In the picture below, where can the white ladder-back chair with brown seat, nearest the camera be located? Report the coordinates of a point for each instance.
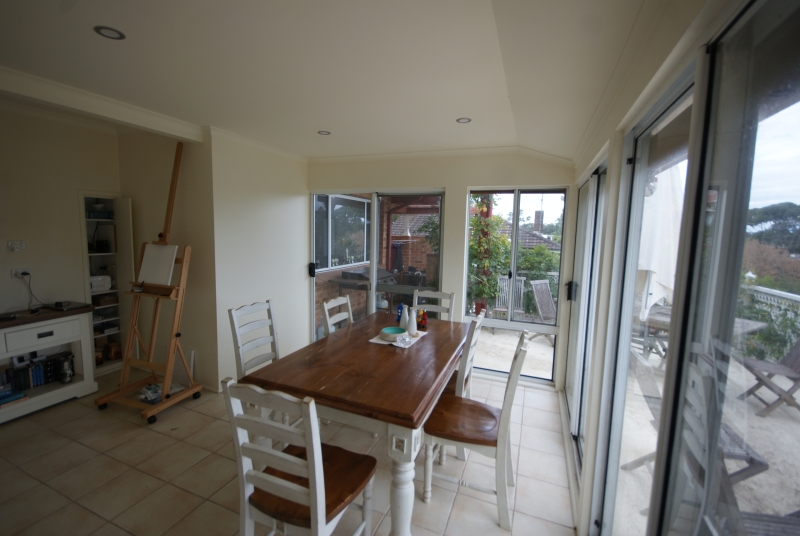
(308, 485)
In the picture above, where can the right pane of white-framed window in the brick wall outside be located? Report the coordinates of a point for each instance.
(348, 237)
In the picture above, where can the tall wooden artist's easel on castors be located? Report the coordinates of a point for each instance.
(158, 293)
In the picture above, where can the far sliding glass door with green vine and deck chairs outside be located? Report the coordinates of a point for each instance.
(513, 272)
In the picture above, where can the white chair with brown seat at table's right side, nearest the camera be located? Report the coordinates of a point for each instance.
(462, 422)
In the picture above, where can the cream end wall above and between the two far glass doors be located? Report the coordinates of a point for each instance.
(455, 175)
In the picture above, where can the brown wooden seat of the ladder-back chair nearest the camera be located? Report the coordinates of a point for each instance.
(346, 475)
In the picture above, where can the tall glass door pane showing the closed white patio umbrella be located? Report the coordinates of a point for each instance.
(661, 154)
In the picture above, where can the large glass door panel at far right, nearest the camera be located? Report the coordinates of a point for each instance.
(735, 452)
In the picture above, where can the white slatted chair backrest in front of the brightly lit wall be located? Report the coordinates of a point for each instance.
(253, 329)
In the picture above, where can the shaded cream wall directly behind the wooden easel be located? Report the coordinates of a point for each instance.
(145, 163)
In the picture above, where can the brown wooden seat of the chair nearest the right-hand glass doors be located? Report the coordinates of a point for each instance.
(464, 420)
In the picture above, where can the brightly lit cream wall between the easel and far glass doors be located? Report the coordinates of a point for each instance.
(261, 232)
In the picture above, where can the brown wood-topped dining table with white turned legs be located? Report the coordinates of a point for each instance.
(382, 389)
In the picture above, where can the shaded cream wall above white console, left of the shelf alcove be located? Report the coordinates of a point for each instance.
(45, 159)
